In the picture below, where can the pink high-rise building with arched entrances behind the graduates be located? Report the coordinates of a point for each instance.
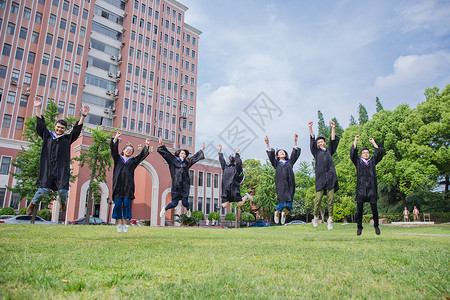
(133, 62)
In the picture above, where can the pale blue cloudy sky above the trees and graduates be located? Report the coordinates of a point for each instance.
(266, 67)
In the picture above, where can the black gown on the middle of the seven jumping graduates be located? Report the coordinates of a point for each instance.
(231, 179)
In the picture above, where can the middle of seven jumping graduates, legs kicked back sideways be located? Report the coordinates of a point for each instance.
(232, 178)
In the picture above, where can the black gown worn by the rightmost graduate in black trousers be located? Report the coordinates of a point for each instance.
(366, 175)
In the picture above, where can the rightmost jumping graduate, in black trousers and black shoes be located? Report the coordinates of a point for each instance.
(366, 181)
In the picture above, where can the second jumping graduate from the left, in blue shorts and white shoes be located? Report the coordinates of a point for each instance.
(123, 180)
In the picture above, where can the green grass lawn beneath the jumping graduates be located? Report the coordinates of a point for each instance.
(296, 262)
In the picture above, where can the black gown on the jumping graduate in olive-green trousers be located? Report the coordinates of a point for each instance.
(326, 177)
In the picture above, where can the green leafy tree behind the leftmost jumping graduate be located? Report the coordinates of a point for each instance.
(28, 158)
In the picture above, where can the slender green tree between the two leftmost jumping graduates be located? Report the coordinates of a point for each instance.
(99, 161)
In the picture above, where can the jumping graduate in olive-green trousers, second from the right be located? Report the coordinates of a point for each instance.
(326, 178)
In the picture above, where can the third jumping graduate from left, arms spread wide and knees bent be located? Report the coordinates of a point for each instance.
(179, 164)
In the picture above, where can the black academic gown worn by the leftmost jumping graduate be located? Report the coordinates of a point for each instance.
(54, 165)
